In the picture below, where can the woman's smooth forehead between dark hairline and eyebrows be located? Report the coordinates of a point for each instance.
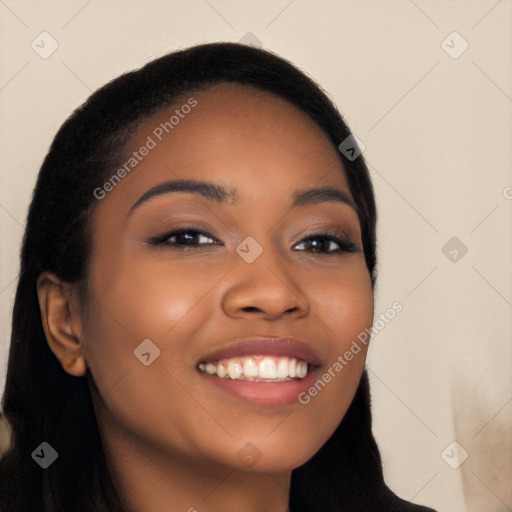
(245, 138)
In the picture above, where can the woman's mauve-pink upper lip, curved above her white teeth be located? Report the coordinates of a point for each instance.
(266, 345)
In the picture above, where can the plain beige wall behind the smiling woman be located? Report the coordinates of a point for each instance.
(437, 131)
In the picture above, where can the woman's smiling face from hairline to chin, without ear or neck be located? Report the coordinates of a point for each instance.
(258, 273)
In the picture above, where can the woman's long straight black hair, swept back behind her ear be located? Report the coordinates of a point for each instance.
(42, 401)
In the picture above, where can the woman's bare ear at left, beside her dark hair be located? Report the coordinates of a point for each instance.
(60, 315)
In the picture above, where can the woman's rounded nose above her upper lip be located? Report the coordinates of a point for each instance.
(264, 288)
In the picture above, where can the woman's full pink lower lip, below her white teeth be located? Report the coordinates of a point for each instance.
(270, 394)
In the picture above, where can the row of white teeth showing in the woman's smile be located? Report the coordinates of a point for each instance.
(257, 368)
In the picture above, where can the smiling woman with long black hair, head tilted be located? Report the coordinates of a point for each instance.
(198, 258)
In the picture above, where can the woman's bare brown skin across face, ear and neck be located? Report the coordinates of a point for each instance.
(170, 437)
